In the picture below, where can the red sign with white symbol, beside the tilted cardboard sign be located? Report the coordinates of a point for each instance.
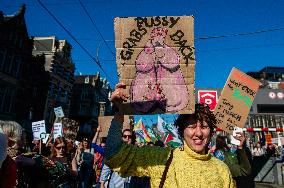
(208, 97)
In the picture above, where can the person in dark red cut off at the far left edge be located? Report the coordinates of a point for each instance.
(8, 168)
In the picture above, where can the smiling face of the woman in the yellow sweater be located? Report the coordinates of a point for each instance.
(197, 136)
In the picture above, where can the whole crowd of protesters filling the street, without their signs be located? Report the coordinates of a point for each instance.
(127, 159)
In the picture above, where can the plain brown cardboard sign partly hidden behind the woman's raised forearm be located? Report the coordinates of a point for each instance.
(105, 121)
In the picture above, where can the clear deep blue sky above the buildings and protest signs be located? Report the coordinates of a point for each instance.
(214, 57)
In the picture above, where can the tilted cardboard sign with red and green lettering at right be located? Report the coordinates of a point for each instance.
(235, 101)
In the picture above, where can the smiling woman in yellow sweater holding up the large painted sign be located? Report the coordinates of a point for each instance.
(191, 166)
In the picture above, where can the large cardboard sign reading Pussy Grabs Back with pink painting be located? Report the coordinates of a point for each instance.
(155, 59)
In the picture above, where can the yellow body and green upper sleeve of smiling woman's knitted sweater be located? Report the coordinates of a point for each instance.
(188, 169)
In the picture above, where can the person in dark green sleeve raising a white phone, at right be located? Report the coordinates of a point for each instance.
(236, 160)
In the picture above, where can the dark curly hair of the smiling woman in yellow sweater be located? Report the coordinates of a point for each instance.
(202, 113)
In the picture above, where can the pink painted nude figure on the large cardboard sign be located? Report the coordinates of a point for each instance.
(158, 82)
